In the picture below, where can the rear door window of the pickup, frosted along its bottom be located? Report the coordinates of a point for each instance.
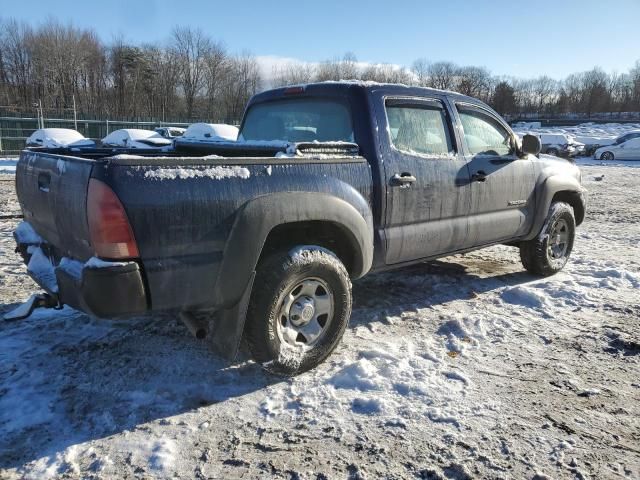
(417, 129)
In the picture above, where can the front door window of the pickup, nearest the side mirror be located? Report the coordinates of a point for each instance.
(484, 135)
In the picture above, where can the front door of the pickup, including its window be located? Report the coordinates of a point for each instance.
(503, 184)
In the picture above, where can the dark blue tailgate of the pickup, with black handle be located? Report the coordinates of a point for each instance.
(52, 190)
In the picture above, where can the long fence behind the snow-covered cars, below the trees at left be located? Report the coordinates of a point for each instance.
(14, 131)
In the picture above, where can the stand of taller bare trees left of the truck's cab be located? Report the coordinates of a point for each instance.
(190, 76)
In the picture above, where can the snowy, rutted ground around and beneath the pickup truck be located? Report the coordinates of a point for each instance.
(463, 368)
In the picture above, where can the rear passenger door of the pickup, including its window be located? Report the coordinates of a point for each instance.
(427, 182)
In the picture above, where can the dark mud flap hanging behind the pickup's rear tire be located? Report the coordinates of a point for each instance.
(225, 331)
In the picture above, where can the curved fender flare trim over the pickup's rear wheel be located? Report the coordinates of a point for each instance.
(258, 217)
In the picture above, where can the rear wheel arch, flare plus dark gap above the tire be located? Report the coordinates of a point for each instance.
(288, 219)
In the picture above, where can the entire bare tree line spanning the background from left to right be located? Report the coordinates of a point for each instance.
(191, 75)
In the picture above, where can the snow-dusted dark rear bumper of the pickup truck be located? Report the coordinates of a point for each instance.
(104, 290)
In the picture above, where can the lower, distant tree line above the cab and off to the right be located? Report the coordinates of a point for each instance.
(589, 92)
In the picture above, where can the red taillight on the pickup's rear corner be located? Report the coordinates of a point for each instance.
(111, 234)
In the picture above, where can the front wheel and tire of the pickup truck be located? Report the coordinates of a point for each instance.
(549, 252)
